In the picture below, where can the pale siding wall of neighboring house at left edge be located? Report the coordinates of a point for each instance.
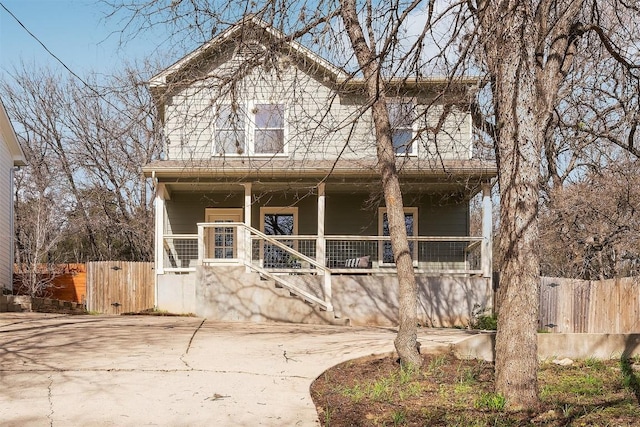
(6, 239)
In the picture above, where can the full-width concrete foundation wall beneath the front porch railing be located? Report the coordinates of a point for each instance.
(232, 294)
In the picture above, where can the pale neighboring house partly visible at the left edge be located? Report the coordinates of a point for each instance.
(11, 156)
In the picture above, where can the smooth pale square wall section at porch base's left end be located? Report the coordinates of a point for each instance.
(176, 293)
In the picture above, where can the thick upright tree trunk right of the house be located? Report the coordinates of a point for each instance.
(511, 47)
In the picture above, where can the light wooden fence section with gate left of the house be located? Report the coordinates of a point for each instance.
(115, 287)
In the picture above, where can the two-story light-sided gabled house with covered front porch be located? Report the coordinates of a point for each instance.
(269, 203)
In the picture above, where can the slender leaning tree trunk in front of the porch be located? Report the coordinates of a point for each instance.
(407, 339)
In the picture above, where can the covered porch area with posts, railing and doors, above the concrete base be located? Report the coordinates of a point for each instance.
(344, 235)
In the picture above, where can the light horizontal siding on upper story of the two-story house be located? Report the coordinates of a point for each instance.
(318, 122)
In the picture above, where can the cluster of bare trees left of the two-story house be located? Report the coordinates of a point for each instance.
(84, 185)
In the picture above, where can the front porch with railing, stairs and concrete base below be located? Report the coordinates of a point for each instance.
(229, 270)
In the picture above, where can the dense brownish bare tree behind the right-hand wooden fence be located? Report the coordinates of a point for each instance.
(592, 226)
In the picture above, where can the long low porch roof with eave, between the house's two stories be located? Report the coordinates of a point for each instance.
(345, 175)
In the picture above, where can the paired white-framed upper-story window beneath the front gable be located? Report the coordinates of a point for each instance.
(261, 132)
